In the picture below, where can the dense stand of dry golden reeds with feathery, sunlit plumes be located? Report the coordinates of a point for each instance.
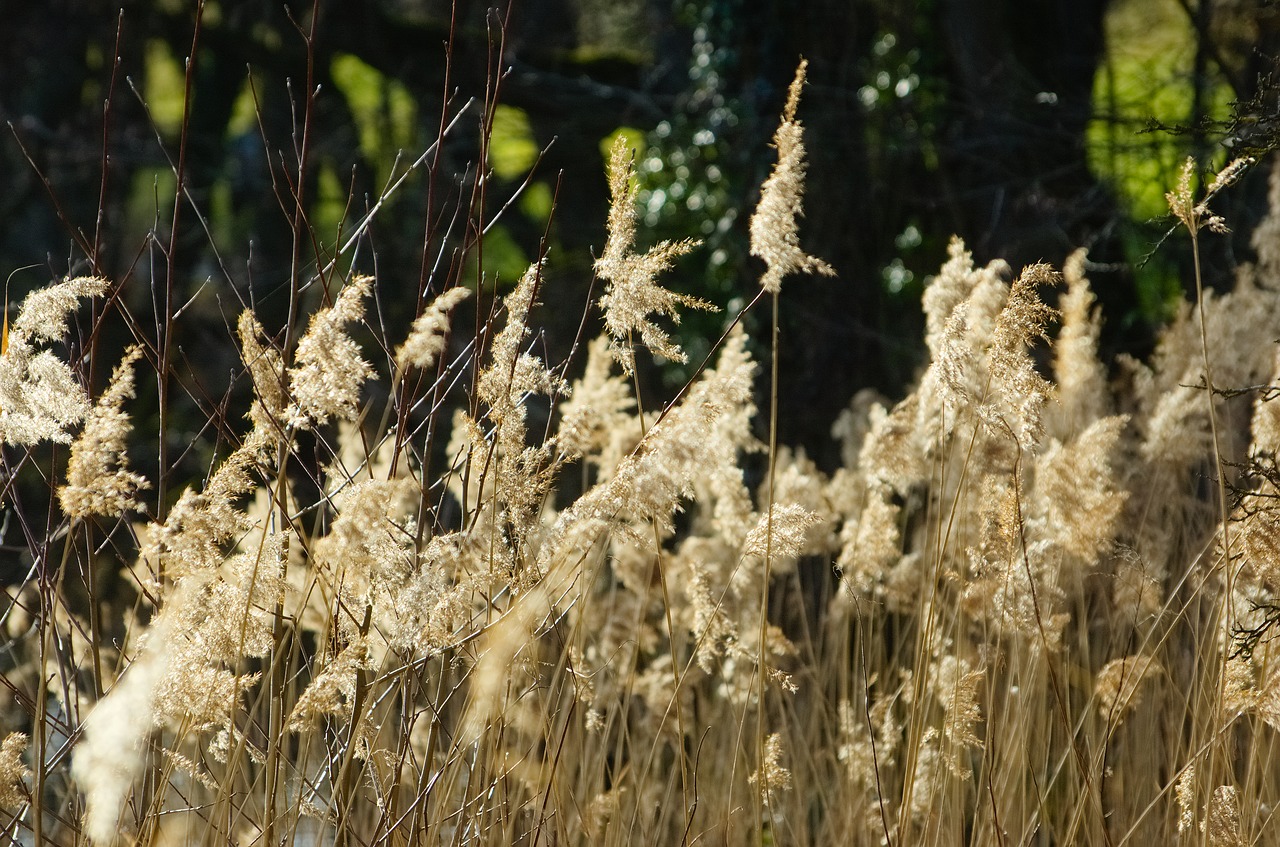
(1039, 628)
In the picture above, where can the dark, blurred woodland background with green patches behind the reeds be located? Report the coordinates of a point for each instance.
(1028, 129)
